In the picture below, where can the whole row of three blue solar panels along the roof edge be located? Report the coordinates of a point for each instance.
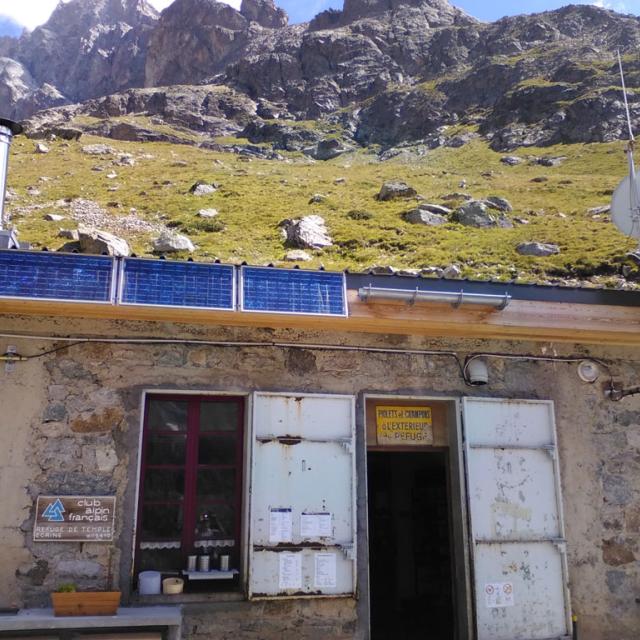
(82, 278)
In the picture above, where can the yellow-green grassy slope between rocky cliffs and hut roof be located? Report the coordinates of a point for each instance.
(255, 196)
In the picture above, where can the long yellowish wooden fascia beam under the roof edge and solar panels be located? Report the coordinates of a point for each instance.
(521, 320)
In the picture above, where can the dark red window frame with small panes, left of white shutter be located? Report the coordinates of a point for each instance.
(191, 467)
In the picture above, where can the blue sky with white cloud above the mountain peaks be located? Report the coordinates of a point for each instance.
(34, 12)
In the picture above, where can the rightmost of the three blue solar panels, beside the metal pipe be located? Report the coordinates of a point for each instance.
(266, 289)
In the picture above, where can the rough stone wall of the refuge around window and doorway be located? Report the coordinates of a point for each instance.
(70, 423)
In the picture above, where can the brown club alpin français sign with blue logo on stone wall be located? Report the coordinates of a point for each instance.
(74, 519)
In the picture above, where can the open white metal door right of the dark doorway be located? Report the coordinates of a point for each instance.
(517, 529)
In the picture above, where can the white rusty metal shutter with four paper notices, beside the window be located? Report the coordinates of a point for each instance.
(303, 488)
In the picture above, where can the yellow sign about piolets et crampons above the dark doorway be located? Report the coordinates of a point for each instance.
(404, 425)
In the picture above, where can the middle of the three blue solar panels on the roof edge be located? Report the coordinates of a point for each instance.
(177, 284)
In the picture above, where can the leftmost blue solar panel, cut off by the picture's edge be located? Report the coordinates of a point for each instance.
(56, 276)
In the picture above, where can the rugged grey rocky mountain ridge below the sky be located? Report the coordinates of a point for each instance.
(390, 71)
